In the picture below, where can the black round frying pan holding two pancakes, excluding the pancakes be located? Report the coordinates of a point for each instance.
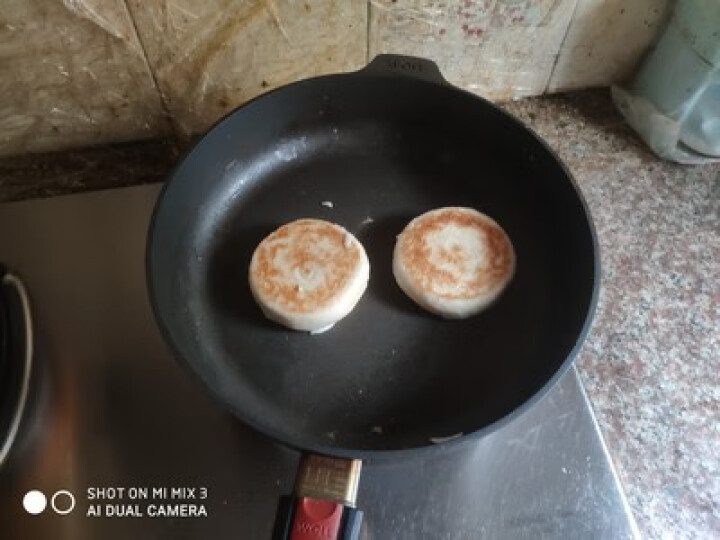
(388, 142)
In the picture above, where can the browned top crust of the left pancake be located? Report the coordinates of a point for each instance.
(299, 240)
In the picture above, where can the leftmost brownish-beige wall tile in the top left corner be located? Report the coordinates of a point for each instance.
(73, 73)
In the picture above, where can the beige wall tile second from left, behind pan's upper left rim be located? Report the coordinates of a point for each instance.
(210, 56)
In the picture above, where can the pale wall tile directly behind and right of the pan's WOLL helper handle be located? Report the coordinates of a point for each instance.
(498, 49)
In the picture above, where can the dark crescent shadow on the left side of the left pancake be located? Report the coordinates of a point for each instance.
(227, 275)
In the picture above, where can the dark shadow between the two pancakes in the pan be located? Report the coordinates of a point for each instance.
(379, 238)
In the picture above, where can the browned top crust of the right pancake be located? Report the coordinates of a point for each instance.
(424, 275)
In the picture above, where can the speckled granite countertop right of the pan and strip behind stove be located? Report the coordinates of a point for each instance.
(651, 363)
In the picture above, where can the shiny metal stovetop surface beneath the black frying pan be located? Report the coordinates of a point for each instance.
(115, 429)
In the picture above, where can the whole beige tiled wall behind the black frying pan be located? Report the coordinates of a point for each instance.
(86, 72)
